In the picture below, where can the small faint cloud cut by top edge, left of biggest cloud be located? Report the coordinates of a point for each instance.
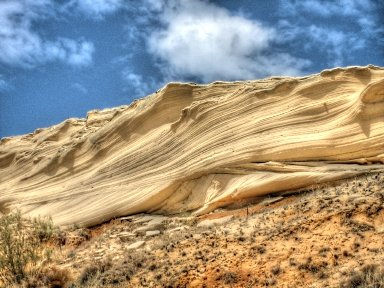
(97, 8)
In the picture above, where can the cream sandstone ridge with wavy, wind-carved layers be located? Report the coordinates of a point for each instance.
(192, 147)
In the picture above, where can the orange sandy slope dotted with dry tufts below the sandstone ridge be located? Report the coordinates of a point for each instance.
(329, 235)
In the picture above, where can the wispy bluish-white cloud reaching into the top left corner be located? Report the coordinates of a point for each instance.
(21, 45)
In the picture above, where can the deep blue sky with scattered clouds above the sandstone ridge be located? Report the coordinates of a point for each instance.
(60, 59)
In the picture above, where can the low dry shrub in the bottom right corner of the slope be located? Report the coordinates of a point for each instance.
(370, 276)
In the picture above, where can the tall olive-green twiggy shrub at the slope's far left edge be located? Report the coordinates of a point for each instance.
(21, 250)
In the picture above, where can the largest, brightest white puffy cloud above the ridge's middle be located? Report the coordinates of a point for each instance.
(203, 40)
